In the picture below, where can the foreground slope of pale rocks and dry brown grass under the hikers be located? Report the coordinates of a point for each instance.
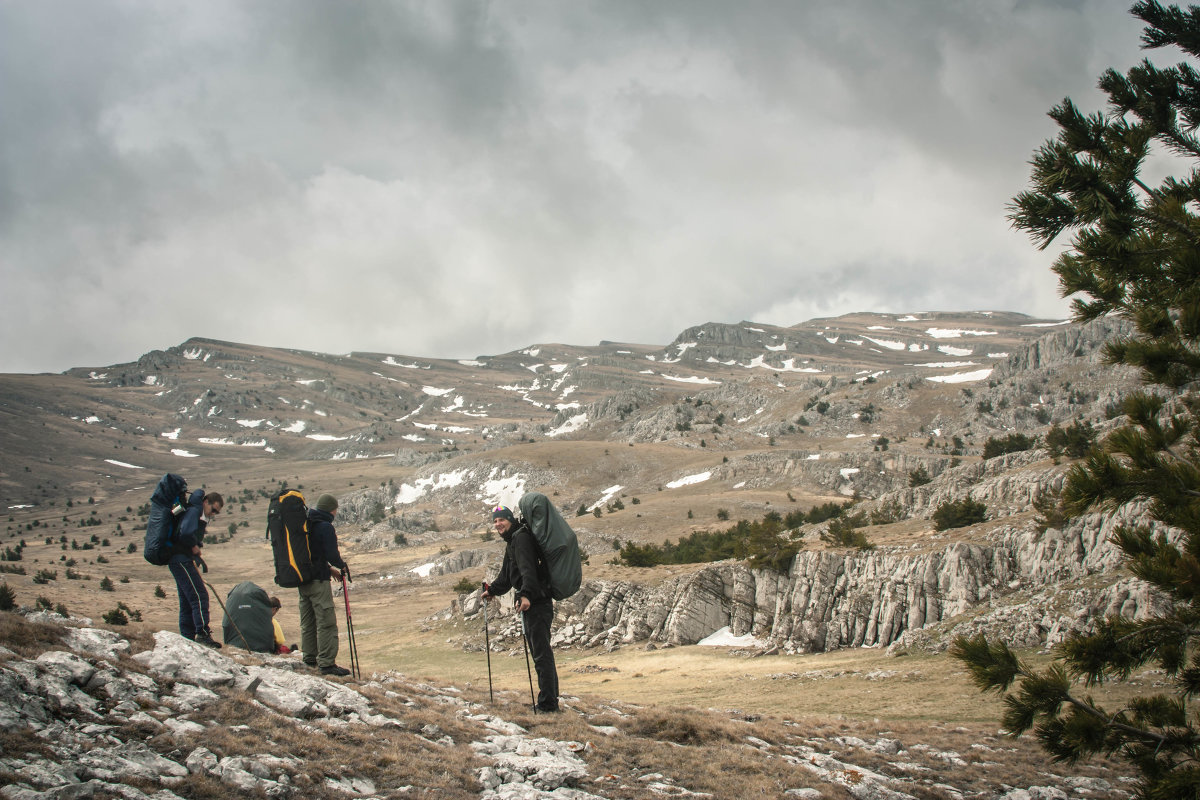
(88, 713)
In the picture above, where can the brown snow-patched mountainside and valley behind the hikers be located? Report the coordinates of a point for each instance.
(637, 446)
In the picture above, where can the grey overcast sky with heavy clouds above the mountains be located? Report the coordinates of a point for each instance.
(458, 179)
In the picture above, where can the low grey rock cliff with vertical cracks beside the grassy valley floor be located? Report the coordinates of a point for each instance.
(1015, 588)
